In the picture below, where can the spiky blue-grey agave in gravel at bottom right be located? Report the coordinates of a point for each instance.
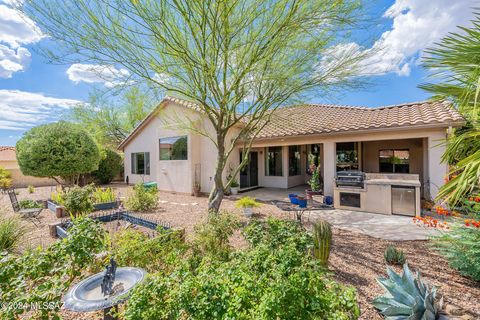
(407, 297)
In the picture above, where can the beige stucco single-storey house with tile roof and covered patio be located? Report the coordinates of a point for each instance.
(398, 139)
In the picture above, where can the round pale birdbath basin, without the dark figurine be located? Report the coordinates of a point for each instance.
(87, 295)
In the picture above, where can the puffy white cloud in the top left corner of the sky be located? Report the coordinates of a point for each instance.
(15, 30)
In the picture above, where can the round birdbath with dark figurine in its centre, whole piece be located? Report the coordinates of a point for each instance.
(104, 290)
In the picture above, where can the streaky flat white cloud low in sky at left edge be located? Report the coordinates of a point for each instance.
(21, 110)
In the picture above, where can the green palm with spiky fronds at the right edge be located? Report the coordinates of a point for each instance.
(455, 67)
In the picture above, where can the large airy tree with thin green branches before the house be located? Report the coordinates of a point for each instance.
(238, 60)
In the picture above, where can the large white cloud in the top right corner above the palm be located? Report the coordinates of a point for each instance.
(417, 24)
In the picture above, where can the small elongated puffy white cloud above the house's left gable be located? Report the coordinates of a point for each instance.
(94, 73)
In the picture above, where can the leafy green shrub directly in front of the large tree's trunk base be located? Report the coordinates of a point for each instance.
(212, 236)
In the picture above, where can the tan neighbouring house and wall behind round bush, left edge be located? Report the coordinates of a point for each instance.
(8, 160)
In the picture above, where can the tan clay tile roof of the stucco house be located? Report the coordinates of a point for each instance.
(308, 119)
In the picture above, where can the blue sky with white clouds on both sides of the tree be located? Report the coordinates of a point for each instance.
(33, 92)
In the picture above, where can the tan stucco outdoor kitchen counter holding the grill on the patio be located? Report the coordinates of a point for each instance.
(376, 196)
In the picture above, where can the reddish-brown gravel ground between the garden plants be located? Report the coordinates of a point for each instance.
(356, 259)
